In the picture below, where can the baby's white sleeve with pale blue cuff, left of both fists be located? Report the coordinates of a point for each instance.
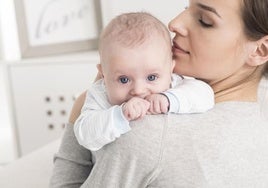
(98, 124)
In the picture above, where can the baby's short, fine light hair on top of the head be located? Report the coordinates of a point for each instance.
(131, 29)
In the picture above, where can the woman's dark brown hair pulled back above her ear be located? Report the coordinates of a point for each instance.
(255, 18)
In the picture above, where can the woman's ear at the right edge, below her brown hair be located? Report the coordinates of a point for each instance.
(260, 55)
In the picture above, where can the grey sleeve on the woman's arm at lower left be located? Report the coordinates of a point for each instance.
(72, 162)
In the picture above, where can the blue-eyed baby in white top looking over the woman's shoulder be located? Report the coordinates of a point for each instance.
(136, 67)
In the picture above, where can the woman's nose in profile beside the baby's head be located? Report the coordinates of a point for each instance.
(178, 25)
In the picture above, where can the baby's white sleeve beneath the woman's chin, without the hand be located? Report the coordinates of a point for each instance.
(190, 96)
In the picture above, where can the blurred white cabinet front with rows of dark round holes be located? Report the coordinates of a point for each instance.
(43, 95)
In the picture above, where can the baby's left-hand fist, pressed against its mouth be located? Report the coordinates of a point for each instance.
(135, 108)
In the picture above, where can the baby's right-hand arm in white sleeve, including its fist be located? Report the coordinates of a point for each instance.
(187, 96)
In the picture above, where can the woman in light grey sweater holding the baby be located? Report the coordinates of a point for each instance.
(224, 43)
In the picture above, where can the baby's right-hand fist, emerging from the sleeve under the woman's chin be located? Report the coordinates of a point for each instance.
(159, 103)
